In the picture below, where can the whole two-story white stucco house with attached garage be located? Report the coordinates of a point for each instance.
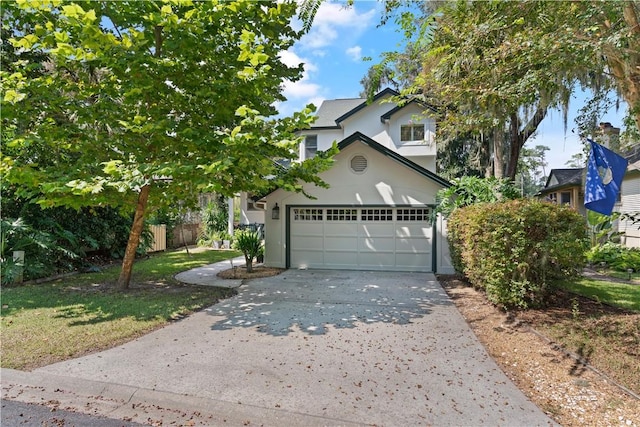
(376, 214)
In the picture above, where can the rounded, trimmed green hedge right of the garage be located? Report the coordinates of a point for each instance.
(514, 249)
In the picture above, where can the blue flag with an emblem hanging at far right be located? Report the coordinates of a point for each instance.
(605, 170)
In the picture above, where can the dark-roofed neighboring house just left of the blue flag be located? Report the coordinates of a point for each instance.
(565, 186)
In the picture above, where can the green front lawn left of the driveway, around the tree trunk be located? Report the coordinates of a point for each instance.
(50, 322)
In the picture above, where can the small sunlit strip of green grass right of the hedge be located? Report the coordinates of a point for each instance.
(621, 295)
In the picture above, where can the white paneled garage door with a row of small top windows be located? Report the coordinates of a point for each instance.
(395, 239)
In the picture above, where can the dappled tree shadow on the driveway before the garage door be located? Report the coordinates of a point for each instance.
(311, 300)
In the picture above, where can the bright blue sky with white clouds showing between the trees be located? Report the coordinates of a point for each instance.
(332, 53)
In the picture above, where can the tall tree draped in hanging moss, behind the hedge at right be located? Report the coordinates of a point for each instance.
(495, 68)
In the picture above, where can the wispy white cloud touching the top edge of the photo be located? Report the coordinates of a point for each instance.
(334, 21)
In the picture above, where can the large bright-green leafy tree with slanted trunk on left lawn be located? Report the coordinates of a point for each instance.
(140, 104)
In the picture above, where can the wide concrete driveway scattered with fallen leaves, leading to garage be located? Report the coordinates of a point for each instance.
(321, 348)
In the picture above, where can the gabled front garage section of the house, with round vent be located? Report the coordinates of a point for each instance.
(377, 214)
